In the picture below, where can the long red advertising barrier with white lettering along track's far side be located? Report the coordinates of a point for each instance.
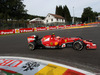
(23, 30)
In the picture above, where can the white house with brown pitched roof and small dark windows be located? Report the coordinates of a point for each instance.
(52, 18)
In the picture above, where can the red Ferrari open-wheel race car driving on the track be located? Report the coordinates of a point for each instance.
(51, 41)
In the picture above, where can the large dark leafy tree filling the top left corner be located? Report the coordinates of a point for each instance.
(12, 9)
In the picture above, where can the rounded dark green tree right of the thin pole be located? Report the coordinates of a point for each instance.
(88, 15)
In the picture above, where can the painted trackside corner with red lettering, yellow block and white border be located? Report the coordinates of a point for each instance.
(30, 66)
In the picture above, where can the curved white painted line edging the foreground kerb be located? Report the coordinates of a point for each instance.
(47, 62)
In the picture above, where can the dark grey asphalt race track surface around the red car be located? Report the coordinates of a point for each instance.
(16, 45)
